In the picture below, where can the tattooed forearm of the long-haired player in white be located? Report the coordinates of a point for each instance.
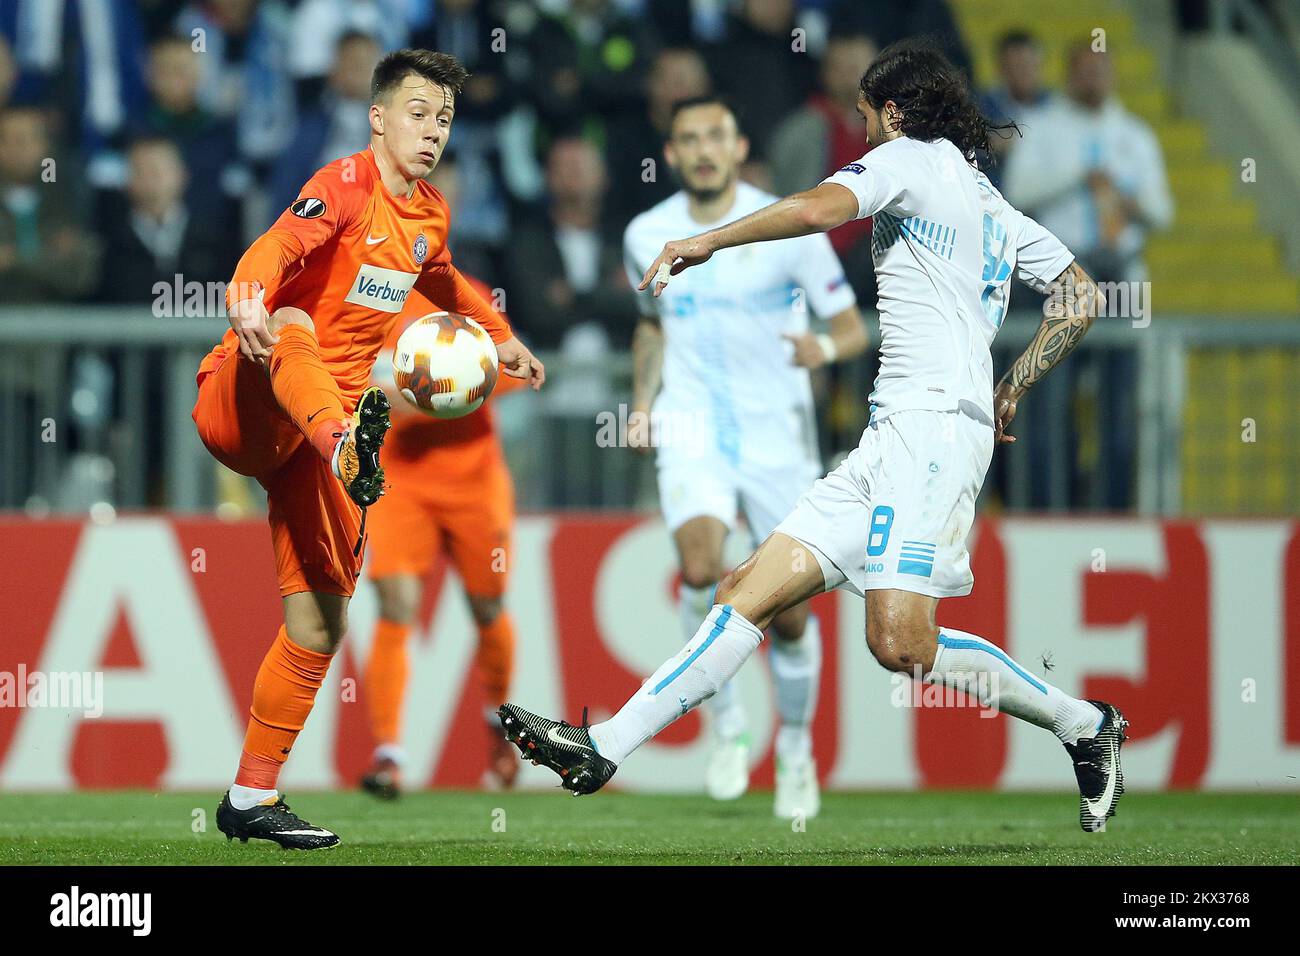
(1074, 301)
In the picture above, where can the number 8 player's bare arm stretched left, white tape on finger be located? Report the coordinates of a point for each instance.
(813, 211)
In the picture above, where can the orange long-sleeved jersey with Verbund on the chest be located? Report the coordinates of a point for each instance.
(349, 254)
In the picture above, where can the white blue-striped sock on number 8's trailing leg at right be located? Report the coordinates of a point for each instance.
(972, 664)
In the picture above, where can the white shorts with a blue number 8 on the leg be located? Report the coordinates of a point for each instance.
(898, 512)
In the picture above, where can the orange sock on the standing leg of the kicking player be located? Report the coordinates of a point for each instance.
(283, 698)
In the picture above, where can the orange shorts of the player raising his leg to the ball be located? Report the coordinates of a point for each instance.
(314, 525)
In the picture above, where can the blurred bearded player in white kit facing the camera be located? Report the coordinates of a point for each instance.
(733, 426)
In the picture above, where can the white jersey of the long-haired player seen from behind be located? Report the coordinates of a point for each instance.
(946, 245)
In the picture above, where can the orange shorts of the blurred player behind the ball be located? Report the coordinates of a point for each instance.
(422, 516)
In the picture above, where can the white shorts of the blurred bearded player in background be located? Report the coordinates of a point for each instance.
(696, 486)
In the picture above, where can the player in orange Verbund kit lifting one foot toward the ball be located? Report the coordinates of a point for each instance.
(284, 397)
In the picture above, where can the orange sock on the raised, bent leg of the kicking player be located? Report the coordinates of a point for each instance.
(306, 391)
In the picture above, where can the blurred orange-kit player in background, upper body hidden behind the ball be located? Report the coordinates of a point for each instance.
(452, 492)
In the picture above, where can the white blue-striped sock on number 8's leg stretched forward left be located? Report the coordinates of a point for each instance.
(710, 659)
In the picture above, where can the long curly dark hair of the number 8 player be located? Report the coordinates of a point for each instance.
(931, 94)
